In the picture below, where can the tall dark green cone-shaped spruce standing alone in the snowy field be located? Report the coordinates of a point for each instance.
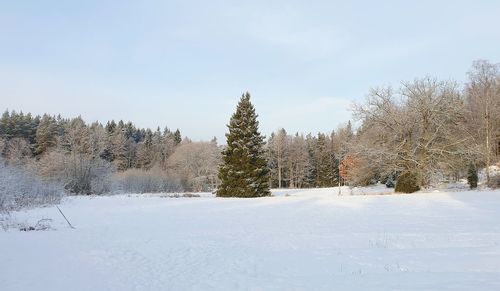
(244, 172)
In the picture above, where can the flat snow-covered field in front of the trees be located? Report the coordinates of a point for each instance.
(297, 240)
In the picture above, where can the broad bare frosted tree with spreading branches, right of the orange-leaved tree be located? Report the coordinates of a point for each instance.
(418, 129)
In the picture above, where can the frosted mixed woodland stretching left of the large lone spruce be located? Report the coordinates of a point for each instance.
(95, 158)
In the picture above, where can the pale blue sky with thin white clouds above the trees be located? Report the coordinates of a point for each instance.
(184, 64)
